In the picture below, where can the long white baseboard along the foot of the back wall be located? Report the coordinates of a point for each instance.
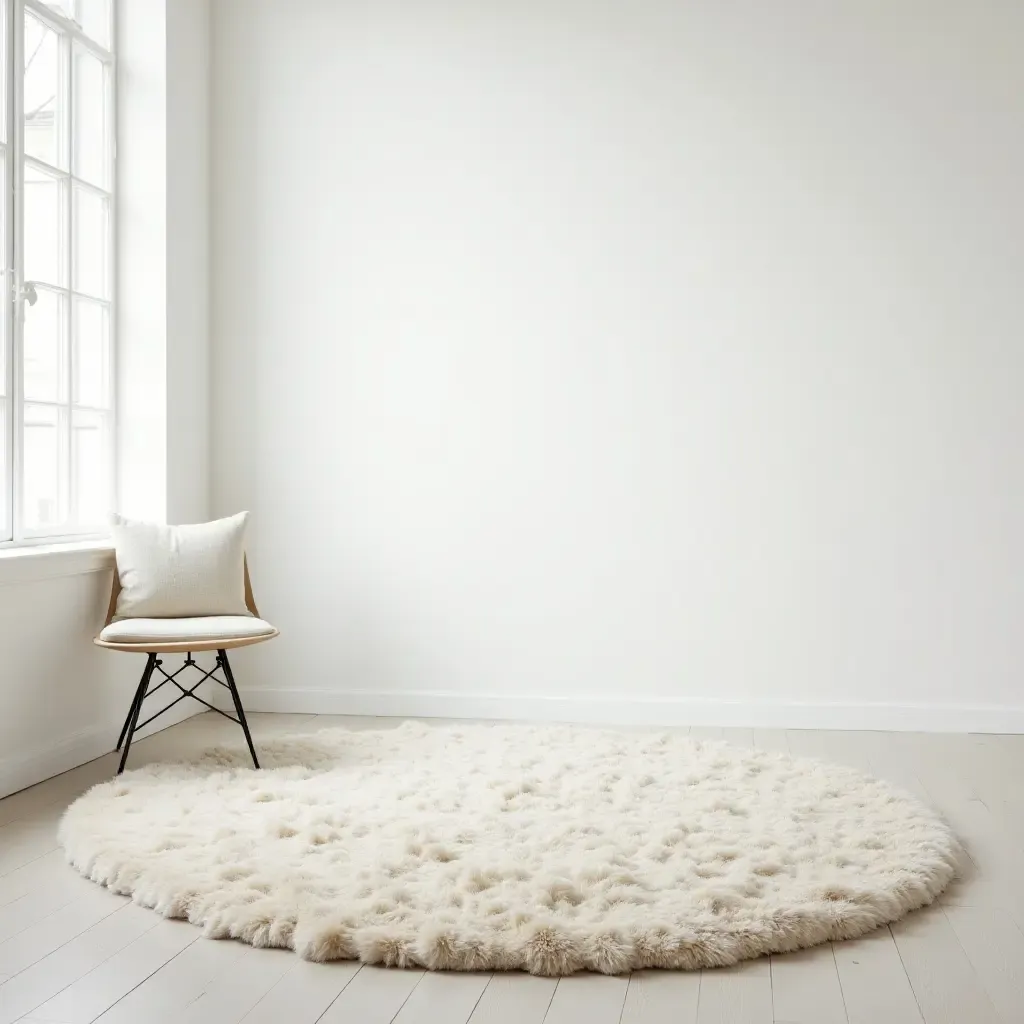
(643, 711)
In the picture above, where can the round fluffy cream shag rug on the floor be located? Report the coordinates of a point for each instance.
(547, 849)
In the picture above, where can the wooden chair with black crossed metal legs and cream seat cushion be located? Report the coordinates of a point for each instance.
(176, 636)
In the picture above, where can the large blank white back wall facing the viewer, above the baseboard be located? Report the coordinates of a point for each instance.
(626, 353)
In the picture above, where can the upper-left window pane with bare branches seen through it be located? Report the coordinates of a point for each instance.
(44, 102)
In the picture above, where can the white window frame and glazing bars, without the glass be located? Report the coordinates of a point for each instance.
(15, 161)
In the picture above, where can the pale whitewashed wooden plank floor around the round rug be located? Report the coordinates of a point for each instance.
(72, 953)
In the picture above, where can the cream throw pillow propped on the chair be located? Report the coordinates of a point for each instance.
(175, 572)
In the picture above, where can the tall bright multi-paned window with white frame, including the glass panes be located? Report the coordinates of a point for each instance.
(57, 263)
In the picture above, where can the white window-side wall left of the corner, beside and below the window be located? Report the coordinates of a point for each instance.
(62, 700)
